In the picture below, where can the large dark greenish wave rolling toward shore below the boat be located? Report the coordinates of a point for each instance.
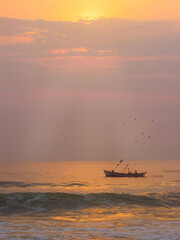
(20, 202)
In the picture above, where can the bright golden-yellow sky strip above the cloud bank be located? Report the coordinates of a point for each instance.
(73, 10)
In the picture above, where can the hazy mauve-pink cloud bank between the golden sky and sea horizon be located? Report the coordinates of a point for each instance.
(81, 81)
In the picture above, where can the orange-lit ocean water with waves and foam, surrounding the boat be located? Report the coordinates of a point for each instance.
(74, 200)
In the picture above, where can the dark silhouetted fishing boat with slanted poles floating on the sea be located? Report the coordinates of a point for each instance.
(124, 174)
